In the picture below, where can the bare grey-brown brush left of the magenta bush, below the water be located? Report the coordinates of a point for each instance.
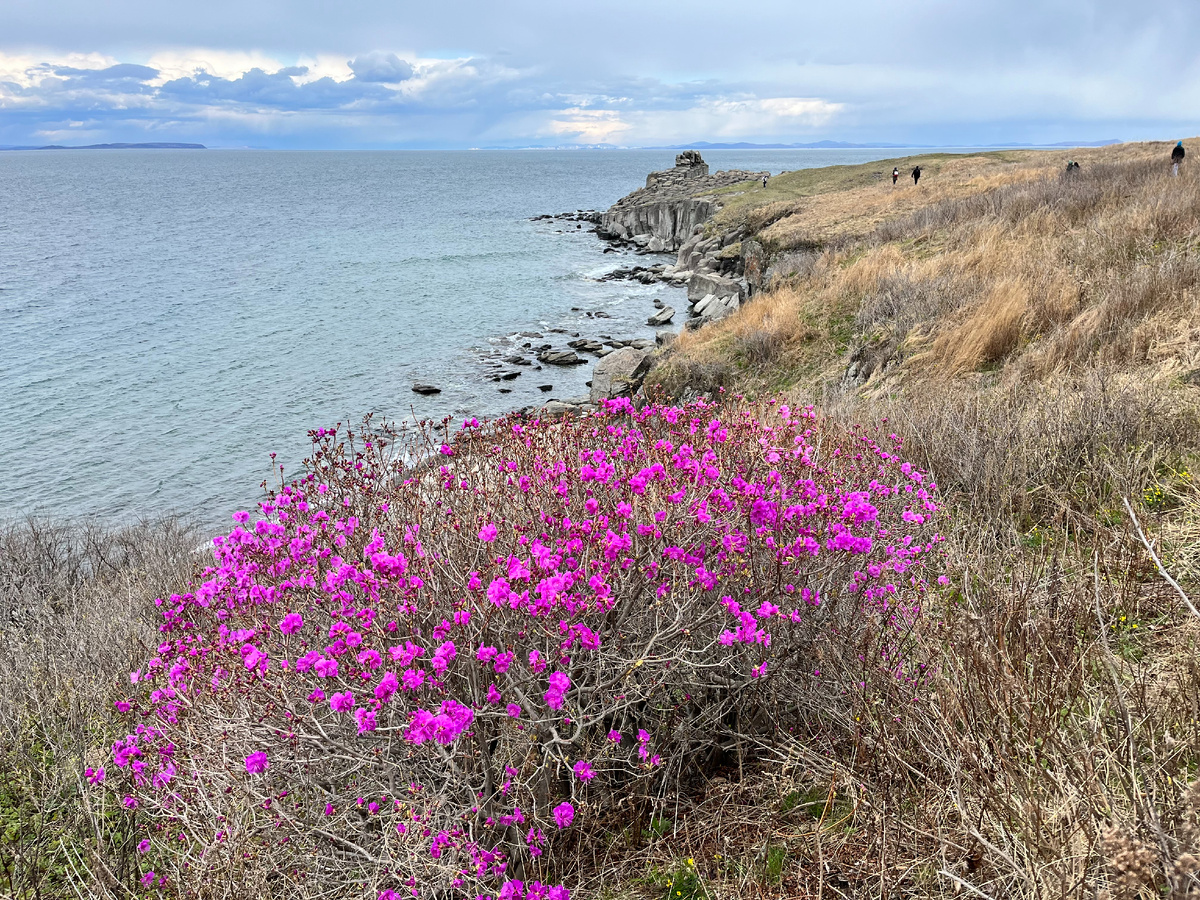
(76, 610)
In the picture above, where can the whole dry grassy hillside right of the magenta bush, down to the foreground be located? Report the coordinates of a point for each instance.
(1035, 339)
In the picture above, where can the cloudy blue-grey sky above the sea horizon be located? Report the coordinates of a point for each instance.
(467, 74)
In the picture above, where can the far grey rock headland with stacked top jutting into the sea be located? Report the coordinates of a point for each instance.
(665, 214)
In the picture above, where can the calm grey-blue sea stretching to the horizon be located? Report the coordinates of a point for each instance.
(170, 319)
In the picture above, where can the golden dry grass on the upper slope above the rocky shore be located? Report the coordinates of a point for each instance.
(998, 262)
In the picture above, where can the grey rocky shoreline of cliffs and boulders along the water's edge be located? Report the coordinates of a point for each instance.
(669, 214)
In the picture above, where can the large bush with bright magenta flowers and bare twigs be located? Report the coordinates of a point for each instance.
(406, 680)
